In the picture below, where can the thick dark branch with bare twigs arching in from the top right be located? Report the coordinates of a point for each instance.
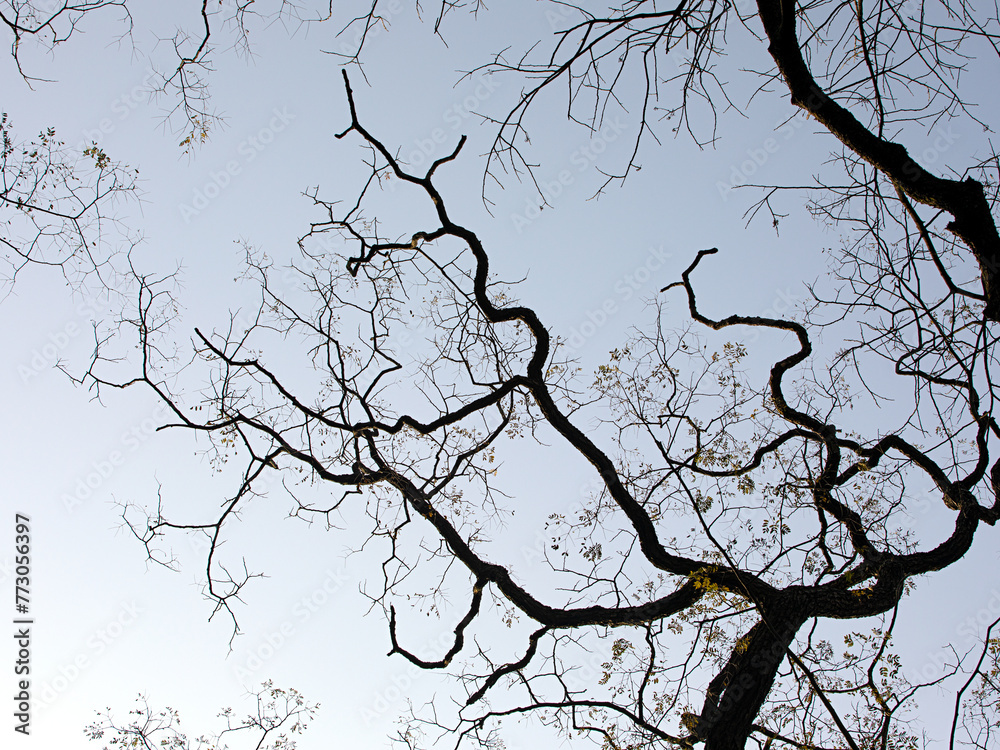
(888, 66)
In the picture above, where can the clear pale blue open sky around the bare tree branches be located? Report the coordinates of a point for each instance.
(108, 625)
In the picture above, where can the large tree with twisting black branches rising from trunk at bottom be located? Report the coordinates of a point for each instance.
(797, 521)
